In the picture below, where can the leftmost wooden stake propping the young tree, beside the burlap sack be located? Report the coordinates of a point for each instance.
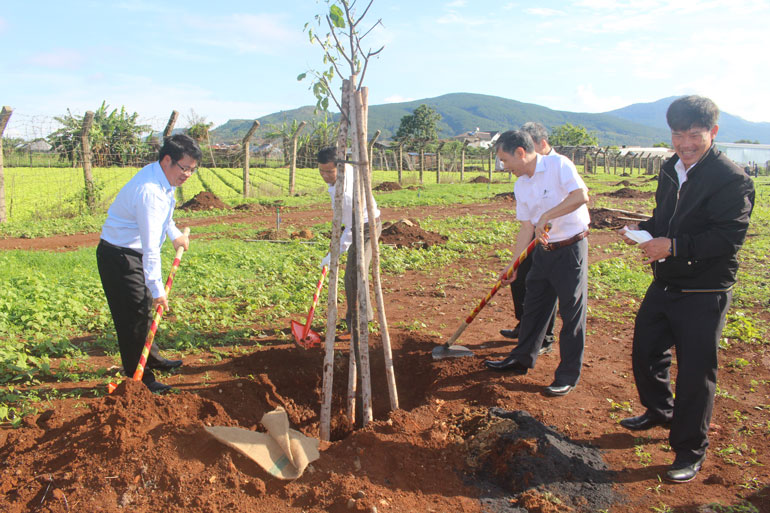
(334, 250)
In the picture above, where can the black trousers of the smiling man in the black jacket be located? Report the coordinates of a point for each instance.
(692, 324)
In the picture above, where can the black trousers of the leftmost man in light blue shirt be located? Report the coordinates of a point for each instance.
(130, 302)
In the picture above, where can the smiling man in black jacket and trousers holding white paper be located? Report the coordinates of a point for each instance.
(703, 204)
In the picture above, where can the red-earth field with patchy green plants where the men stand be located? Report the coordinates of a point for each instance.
(231, 304)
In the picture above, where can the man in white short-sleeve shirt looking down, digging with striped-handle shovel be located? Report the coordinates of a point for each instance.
(548, 191)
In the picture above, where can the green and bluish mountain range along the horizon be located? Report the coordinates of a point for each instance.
(639, 124)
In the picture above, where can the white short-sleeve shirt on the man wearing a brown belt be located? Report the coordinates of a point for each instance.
(554, 178)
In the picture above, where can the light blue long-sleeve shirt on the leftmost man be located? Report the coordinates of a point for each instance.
(140, 219)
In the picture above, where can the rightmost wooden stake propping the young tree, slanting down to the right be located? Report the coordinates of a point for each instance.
(362, 103)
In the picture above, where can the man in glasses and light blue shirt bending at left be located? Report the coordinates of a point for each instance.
(128, 255)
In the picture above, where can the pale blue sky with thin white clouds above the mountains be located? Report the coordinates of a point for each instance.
(237, 59)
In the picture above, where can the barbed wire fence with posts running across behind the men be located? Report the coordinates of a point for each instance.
(42, 179)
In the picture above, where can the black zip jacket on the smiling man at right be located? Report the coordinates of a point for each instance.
(707, 220)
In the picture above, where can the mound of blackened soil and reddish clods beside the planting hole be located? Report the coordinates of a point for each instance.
(535, 466)
